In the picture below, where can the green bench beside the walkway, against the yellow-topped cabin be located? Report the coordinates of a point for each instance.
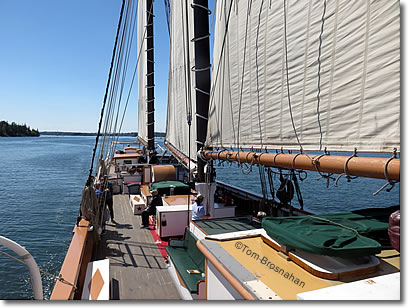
(188, 260)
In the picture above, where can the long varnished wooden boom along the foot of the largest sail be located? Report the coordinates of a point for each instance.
(371, 167)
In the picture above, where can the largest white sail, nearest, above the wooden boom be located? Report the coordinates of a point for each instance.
(355, 43)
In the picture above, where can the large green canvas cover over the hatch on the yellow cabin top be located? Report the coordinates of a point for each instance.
(337, 234)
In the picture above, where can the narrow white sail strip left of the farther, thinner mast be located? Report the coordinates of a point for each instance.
(142, 69)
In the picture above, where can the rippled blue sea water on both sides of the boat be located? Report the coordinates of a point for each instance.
(41, 180)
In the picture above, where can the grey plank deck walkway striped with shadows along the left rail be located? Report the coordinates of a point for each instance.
(137, 269)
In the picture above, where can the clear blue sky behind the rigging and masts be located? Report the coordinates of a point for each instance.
(54, 62)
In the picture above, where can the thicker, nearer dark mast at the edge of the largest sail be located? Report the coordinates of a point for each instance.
(202, 70)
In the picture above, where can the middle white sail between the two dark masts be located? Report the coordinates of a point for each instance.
(181, 97)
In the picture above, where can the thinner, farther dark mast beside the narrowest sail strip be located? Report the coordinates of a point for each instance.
(150, 76)
